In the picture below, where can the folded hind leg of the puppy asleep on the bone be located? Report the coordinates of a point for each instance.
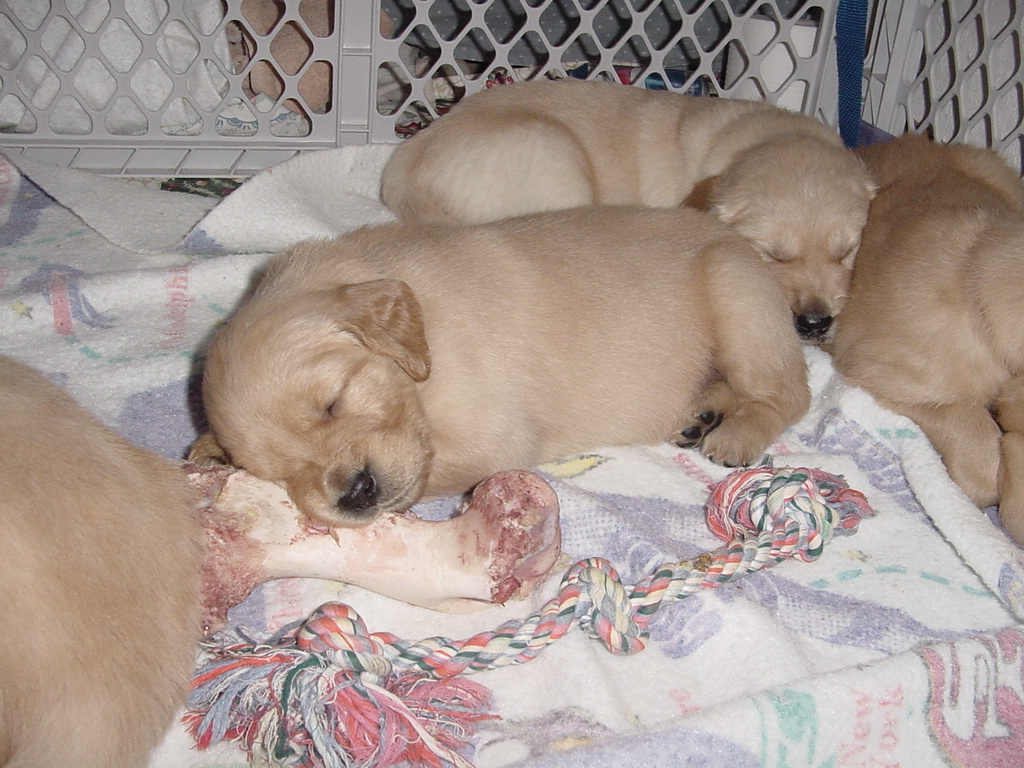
(763, 388)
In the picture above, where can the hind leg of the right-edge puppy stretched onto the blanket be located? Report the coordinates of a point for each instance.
(968, 440)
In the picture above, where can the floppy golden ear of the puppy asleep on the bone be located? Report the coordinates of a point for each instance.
(386, 317)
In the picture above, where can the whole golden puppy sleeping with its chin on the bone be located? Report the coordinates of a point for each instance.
(413, 360)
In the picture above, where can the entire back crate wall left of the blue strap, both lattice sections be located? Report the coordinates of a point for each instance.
(228, 88)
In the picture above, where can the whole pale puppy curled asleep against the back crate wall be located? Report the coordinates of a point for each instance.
(782, 180)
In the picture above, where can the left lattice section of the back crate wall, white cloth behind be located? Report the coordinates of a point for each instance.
(179, 87)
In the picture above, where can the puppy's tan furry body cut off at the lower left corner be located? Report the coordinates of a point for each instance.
(100, 594)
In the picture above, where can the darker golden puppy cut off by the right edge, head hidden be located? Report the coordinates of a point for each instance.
(933, 326)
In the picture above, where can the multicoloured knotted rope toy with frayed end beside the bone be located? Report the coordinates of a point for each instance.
(328, 694)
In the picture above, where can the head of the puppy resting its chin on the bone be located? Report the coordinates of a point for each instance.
(317, 392)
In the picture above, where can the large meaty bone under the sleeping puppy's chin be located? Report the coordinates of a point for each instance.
(503, 541)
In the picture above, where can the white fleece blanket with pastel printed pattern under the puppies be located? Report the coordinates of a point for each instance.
(902, 646)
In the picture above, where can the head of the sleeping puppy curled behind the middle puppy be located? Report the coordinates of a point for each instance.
(803, 203)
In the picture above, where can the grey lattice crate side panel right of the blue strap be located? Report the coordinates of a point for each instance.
(951, 68)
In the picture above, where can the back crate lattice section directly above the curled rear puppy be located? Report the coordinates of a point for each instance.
(434, 53)
